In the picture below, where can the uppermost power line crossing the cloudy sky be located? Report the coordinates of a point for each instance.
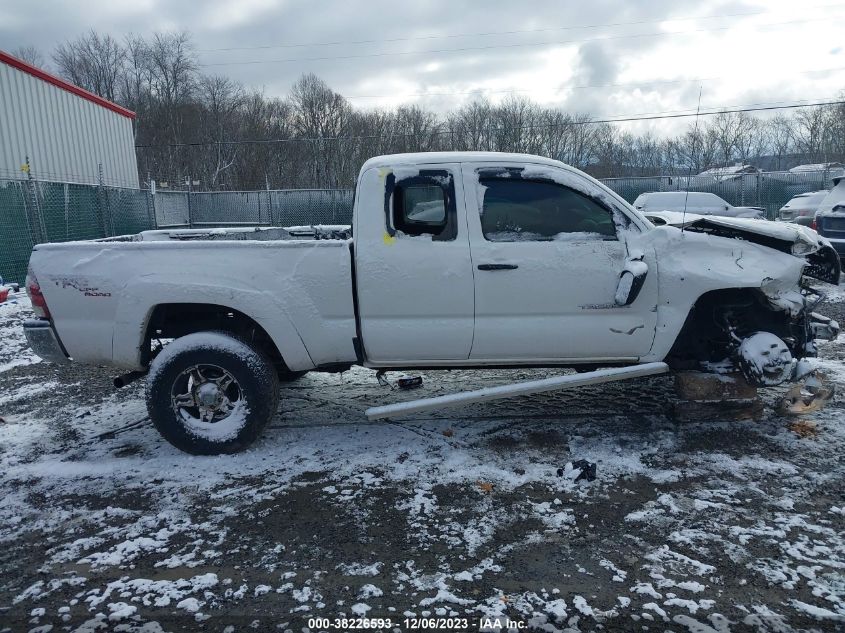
(492, 33)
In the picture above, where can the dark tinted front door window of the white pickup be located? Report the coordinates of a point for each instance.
(516, 210)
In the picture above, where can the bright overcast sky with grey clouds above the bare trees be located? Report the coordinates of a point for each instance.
(602, 57)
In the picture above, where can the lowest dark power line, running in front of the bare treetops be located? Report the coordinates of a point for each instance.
(614, 119)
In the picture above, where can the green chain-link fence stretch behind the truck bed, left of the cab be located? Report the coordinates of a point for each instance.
(33, 212)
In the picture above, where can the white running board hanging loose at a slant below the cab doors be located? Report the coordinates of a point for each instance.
(518, 389)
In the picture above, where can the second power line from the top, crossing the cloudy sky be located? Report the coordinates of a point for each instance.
(498, 46)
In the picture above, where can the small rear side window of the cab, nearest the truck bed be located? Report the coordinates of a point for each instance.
(423, 204)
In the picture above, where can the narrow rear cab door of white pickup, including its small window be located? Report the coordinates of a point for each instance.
(412, 265)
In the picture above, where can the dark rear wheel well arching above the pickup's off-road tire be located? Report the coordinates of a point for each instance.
(172, 320)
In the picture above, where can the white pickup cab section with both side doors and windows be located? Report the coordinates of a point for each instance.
(484, 258)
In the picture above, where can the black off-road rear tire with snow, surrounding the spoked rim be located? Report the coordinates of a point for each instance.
(256, 381)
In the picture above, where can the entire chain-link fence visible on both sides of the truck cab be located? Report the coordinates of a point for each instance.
(33, 211)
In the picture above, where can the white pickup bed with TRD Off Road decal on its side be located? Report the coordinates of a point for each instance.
(295, 283)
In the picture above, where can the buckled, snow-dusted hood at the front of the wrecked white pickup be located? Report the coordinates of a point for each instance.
(795, 239)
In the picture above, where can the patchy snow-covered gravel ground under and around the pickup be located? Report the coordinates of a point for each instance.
(470, 513)
